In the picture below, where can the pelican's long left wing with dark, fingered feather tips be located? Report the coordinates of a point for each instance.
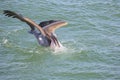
(31, 23)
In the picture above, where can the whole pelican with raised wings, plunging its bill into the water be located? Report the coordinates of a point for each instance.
(46, 36)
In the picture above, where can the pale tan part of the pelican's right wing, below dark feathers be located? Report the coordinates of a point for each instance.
(53, 26)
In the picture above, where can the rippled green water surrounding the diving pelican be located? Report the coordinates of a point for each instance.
(92, 39)
